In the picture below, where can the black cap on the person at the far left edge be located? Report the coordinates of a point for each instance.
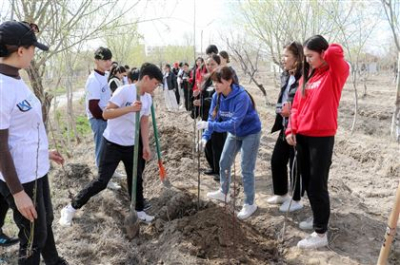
(19, 34)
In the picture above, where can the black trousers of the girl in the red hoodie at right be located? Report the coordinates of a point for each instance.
(315, 159)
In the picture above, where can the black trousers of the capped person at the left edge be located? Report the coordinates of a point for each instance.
(43, 239)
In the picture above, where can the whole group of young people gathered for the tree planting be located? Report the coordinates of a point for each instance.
(225, 113)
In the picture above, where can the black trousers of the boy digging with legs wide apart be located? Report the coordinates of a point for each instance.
(110, 157)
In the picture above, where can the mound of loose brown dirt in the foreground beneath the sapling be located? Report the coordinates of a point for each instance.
(212, 235)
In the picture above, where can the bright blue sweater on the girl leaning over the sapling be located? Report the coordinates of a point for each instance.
(236, 114)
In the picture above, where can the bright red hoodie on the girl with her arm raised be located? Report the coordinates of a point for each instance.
(315, 114)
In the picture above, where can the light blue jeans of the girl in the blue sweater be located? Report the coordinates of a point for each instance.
(248, 145)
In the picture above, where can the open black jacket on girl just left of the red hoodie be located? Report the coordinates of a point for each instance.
(278, 125)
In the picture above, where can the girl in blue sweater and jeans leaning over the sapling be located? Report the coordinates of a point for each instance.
(233, 111)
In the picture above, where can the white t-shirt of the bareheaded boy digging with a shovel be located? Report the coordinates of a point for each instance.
(121, 130)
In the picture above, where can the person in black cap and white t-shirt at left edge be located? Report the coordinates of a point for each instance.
(24, 150)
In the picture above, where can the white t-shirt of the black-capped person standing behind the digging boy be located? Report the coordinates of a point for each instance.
(97, 88)
